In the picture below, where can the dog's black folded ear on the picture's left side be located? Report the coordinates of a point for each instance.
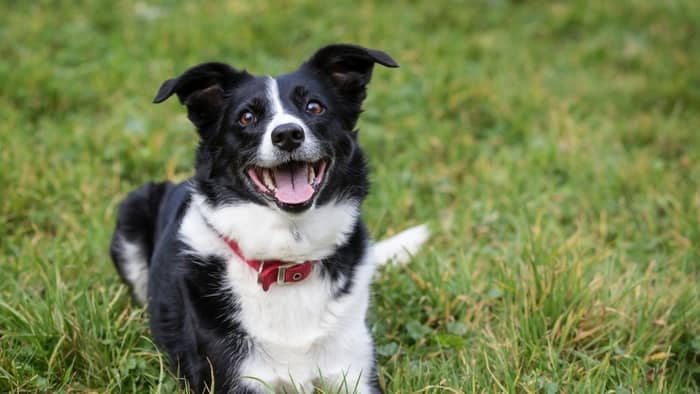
(201, 89)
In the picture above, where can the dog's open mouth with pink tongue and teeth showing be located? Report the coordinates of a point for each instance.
(292, 183)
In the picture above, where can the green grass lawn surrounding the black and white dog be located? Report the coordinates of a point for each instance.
(553, 148)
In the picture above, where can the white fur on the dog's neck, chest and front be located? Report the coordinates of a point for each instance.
(301, 332)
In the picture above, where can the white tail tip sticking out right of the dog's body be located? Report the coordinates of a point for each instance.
(401, 247)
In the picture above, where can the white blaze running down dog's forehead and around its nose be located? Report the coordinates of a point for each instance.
(278, 116)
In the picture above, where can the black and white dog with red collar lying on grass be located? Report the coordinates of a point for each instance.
(257, 270)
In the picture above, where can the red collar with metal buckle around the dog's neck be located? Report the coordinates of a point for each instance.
(274, 271)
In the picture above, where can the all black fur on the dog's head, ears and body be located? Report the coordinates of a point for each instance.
(192, 317)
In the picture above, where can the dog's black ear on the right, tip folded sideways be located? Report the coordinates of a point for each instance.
(349, 67)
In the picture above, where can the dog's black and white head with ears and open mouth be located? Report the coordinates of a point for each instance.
(286, 141)
